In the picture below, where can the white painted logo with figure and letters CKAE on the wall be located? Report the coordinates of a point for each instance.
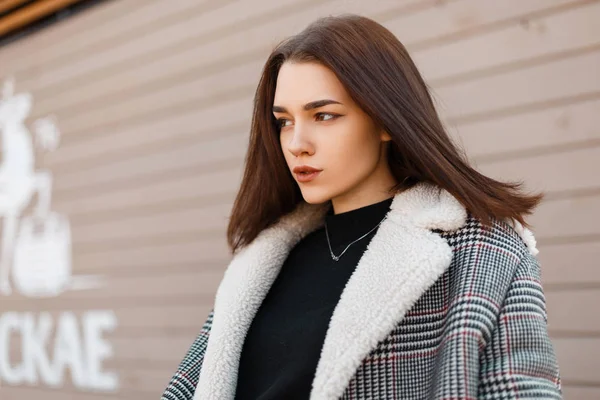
(35, 262)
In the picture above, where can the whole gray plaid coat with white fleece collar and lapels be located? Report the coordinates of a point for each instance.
(439, 307)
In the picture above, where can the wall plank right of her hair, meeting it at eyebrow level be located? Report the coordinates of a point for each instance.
(478, 98)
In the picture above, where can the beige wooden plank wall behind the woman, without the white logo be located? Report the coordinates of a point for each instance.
(153, 101)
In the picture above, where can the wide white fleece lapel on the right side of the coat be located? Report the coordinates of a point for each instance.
(401, 262)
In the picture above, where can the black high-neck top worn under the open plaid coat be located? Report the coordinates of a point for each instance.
(283, 345)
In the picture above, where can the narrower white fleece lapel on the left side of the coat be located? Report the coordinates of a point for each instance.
(244, 286)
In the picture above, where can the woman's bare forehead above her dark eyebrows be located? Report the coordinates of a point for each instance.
(300, 83)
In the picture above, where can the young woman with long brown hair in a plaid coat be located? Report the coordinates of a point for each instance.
(370, 261)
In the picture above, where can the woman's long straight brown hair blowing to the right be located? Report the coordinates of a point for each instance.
(382, 79)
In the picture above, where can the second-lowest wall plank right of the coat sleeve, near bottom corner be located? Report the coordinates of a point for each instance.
(579, 358)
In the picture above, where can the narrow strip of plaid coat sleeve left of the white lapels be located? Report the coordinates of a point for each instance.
(183, 384)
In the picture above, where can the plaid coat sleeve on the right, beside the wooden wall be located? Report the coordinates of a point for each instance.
(519, 362)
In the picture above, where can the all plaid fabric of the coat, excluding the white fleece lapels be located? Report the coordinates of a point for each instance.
(478, 333)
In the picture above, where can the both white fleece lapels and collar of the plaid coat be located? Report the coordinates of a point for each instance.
(401, 262)
